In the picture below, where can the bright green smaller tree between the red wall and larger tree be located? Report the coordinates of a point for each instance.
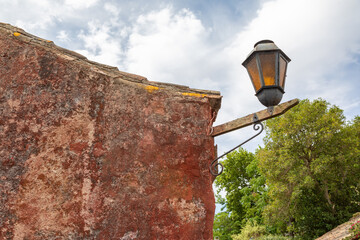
(246, 193)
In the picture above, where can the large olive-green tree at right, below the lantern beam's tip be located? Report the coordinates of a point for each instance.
(311, 164)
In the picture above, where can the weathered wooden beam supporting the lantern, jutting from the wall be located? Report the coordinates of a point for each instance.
(249, 119)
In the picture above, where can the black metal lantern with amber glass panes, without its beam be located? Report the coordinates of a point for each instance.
(266, 66)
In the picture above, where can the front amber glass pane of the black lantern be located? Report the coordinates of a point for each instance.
(267, 61)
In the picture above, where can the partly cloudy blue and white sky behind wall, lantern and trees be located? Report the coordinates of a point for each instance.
(202, 44)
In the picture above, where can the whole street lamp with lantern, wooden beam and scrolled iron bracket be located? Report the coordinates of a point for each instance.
(266, 65)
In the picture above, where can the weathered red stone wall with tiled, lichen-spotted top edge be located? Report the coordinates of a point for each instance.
(89, 152)
